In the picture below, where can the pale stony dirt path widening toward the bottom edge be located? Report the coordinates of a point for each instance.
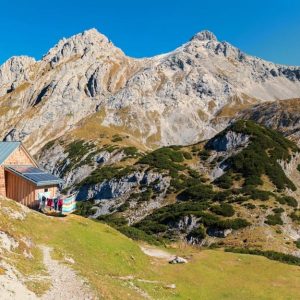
(65, 283)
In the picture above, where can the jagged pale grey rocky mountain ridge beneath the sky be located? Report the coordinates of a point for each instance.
(174, 98)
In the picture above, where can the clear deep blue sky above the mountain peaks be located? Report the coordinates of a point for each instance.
(265, 28)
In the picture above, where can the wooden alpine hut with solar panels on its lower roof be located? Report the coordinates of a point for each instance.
(21, 179)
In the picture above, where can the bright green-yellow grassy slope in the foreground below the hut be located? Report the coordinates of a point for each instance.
(117, 268)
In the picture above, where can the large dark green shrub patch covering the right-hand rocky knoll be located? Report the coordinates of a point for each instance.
(261, 156)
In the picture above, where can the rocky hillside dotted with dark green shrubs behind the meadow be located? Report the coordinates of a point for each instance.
(251, 203)
